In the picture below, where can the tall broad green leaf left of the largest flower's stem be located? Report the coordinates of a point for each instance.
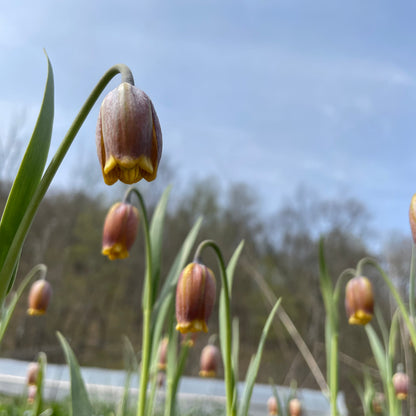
(26, 182)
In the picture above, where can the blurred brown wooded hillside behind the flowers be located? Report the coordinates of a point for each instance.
(95, 301)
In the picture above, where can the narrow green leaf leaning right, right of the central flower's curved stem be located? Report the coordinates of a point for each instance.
(255, 364)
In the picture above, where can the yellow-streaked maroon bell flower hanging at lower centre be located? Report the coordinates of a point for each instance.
(195, 297)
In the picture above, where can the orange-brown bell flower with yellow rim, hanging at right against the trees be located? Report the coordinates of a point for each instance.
(359, 301)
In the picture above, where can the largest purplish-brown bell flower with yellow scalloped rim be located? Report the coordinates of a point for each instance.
(128, 136)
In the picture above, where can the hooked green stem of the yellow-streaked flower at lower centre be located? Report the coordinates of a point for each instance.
(227, 357)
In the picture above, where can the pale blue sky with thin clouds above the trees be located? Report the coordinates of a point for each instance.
(276, 94)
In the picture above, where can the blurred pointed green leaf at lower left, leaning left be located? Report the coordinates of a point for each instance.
(81, 405)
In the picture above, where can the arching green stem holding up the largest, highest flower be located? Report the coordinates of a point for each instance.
(56, 161)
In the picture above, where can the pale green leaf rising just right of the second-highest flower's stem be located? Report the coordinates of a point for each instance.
(156, 238)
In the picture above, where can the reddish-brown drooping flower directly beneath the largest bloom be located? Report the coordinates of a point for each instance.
(120, 229)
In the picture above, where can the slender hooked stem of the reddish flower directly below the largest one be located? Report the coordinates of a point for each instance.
(146, 308)
